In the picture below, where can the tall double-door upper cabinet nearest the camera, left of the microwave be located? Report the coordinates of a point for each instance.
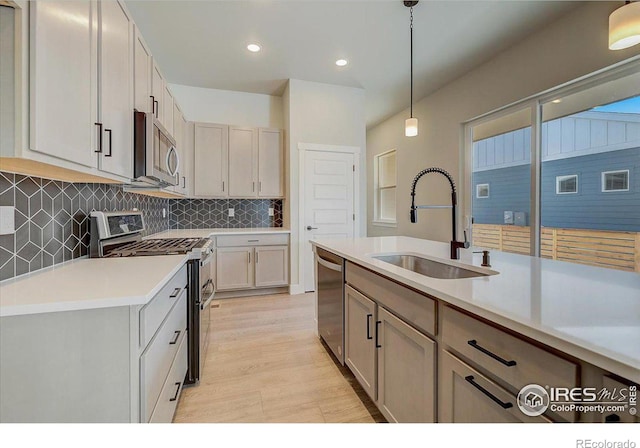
(82, 113)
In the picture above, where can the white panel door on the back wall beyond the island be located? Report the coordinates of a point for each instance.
(328, 202)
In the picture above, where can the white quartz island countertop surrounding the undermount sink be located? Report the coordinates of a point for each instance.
(588, 312)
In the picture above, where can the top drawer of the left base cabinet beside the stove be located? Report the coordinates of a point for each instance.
(152, 314)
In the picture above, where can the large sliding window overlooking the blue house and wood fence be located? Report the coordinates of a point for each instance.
(532, 153)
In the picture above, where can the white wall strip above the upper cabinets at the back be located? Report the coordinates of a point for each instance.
(229, 107)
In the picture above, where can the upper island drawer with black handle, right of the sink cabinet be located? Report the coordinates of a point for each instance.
(513, 360)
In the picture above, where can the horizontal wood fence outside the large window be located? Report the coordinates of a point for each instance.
(616, 250)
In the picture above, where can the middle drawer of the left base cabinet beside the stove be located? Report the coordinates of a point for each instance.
(156, 360)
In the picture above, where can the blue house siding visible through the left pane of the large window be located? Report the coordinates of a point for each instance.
(508, 190)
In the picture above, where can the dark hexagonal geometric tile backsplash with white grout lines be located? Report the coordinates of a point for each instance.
(52, 217)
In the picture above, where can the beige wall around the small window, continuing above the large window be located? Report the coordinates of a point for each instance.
(564, 50)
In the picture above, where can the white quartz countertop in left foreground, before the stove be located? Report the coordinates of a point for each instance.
(88, 283)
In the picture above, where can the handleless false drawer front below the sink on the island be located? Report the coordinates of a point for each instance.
(414, 308)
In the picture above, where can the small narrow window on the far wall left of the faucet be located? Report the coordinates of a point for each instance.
(384, 167)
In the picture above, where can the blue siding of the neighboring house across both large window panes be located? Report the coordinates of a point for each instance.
(589, 208)
